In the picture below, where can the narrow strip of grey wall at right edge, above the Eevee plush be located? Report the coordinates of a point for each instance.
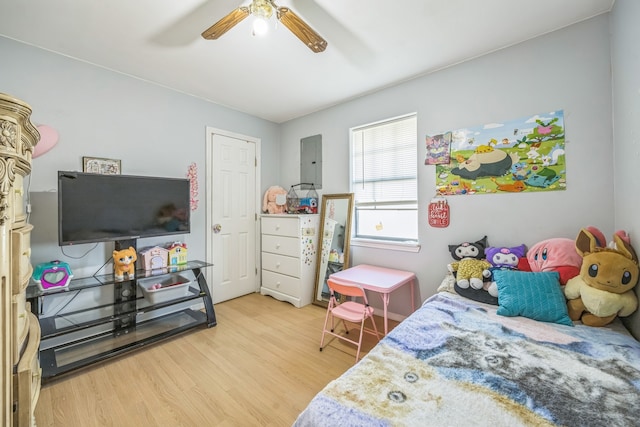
(625, 59)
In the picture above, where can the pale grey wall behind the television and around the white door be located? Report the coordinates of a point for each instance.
(101, 113)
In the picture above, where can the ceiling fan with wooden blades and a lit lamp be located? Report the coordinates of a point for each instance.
(264, 9)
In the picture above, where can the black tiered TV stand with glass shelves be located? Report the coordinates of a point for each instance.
(76, 334)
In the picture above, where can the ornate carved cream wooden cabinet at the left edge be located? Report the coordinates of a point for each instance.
(19, 328)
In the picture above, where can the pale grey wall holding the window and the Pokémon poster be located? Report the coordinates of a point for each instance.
(568, 69)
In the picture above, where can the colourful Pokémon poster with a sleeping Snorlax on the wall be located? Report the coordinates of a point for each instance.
(521, 155)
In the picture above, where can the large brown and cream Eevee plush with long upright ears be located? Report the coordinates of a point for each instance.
(603, 290)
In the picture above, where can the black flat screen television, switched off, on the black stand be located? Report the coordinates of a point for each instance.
(101, 208)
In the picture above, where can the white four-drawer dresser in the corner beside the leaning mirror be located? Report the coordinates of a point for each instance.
(289, 252)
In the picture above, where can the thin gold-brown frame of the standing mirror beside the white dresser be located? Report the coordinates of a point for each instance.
(321, 275)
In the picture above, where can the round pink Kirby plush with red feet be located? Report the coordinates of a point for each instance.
(555, 254)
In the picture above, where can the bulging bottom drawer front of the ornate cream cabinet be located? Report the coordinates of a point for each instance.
(27, 381)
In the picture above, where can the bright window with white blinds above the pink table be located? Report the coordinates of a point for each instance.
(384, 180)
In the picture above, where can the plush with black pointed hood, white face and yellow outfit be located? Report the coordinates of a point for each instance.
(470, 263)
